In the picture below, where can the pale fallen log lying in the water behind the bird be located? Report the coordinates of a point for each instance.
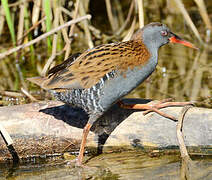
(46, 128)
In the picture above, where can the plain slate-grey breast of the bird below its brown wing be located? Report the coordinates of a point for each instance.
(120, 85)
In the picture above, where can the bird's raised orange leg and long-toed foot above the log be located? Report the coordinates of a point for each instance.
(155, 107)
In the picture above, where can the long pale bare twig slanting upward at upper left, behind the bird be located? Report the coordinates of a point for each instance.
(2, 55)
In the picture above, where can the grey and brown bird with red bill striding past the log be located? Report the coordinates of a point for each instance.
(99, 77)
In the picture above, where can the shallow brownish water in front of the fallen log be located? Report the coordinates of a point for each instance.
(122, 165)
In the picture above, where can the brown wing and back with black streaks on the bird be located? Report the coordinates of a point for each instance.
(92, 65)
